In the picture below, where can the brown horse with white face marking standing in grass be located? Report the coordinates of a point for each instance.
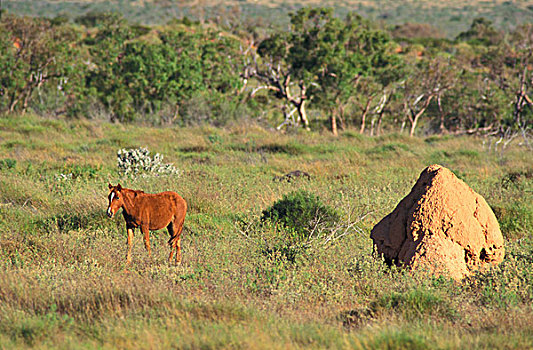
(149, 212)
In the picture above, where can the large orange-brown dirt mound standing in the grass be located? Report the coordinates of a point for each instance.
(442, 226)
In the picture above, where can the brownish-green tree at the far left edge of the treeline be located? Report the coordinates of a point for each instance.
(34, 54)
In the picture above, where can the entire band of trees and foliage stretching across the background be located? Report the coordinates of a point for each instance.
(328, 67)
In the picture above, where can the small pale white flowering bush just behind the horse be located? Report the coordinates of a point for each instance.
(137, 161)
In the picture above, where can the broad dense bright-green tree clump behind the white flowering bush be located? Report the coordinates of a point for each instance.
(160, 75)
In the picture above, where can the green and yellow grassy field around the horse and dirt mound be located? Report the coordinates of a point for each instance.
(64, 282)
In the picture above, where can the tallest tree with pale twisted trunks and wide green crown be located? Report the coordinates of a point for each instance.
(322, 59)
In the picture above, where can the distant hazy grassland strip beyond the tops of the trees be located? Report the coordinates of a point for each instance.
(451, 17)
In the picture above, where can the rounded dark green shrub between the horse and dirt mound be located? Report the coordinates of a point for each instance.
(301, 214)
